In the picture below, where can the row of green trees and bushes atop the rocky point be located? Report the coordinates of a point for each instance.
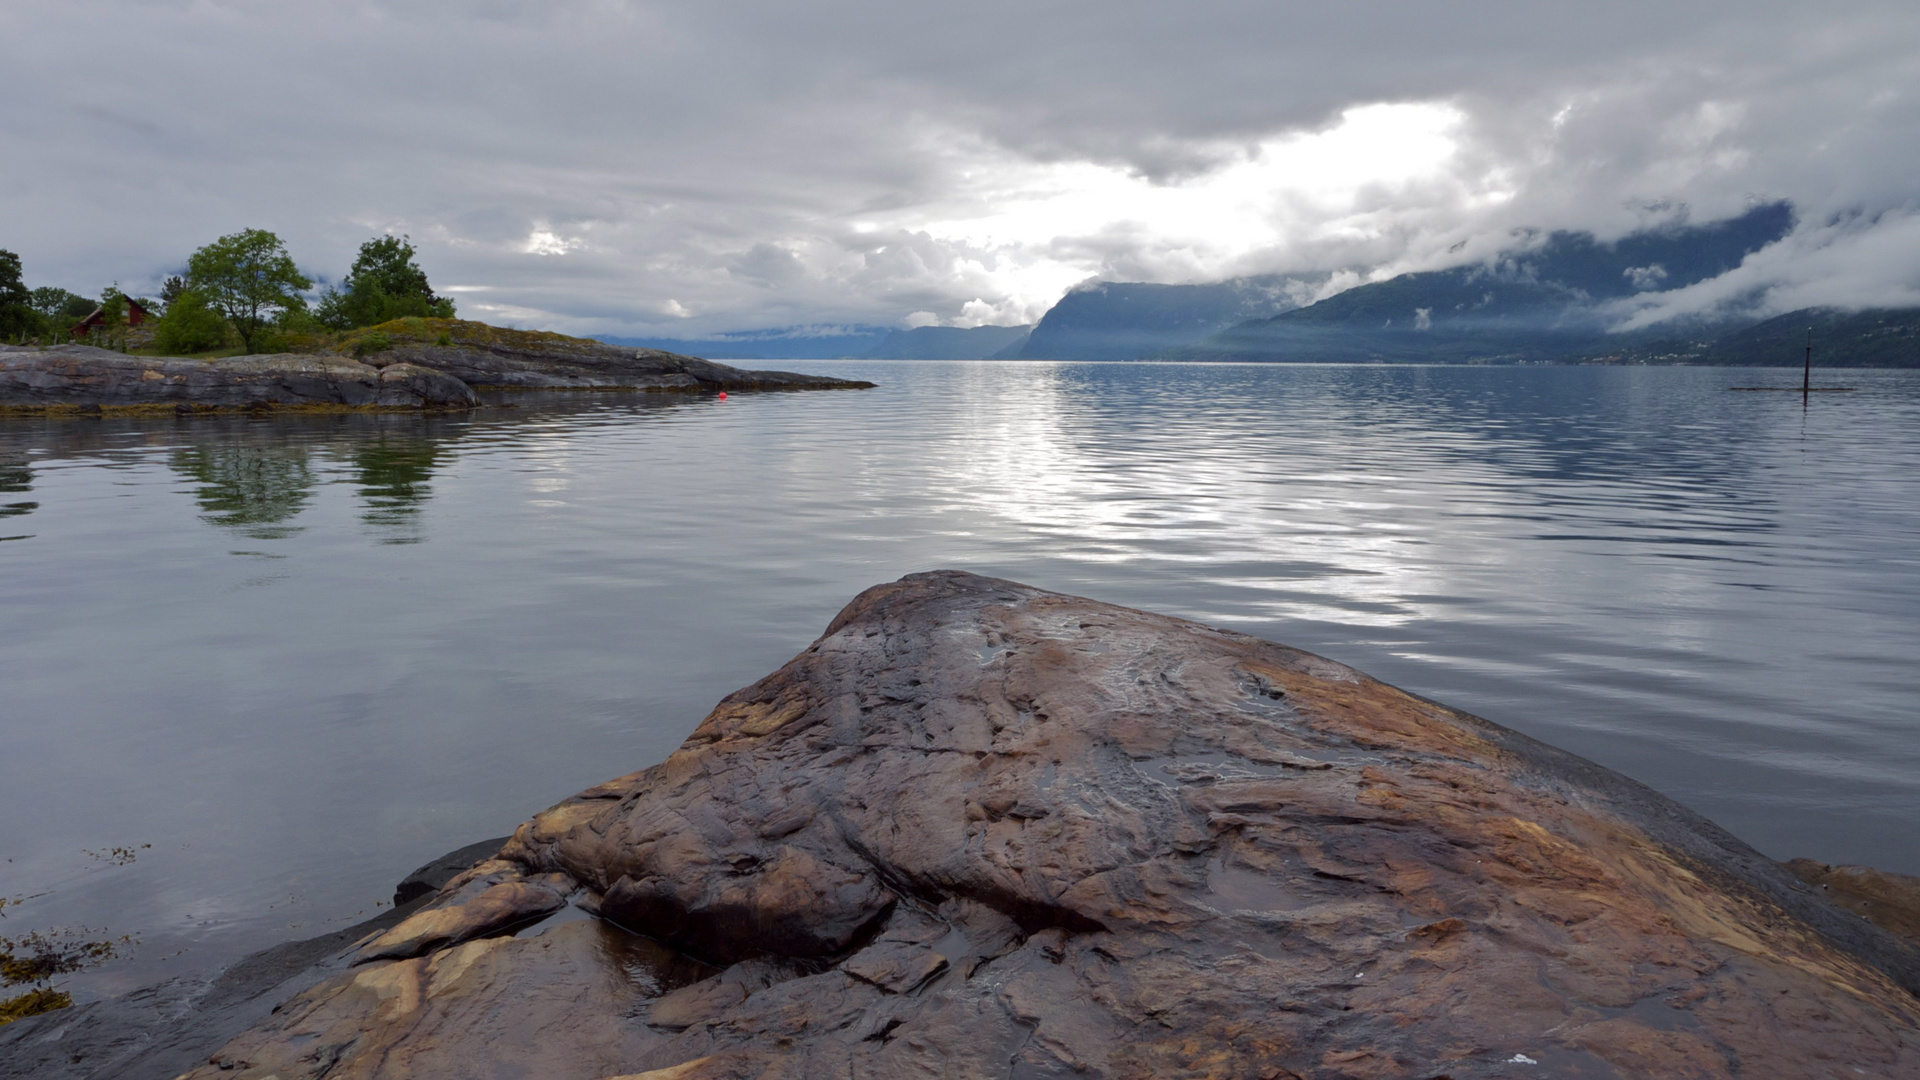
(239, 289)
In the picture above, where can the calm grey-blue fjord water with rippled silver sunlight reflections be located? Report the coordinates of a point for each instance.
(302, 656)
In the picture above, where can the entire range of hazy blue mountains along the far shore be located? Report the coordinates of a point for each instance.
(1548, 299)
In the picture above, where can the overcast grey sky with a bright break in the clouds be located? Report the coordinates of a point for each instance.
(627, 168)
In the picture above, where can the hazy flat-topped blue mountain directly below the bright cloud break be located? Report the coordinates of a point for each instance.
(1124, 320)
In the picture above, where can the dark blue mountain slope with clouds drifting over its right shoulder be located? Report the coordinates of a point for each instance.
(1537, 303)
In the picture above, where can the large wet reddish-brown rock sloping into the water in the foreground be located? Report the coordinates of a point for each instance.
(990, 831)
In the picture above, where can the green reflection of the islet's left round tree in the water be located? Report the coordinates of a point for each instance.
(256, 489)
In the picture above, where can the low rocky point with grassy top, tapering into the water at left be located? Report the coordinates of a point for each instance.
(410, 364)
